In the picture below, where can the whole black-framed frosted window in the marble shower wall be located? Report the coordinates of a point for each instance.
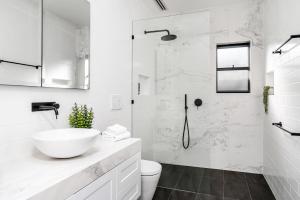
(233, 67)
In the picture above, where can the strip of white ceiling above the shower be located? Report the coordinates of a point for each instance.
(192, 5)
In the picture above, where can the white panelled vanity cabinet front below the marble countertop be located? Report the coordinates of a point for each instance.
(120, 183)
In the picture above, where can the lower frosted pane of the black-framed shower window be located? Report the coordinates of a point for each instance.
(233, 80)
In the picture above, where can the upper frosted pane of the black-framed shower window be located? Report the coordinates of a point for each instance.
(237, 56)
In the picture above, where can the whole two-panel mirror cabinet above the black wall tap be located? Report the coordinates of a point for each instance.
(45, 43)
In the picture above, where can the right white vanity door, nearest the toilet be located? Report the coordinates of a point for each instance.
(129, 179)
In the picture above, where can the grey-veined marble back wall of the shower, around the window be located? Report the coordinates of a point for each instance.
(227, 131)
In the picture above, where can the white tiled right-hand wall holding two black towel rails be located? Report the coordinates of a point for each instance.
(281, 151)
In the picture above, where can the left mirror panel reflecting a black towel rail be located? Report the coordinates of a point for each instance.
(20, 40)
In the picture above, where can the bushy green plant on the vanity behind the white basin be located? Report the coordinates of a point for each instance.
(81, 117)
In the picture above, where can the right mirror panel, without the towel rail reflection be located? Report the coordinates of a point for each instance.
(66, 44)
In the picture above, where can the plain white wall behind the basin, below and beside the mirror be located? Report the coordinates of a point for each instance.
(110, 74)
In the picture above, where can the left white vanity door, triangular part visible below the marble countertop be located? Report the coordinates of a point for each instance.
(103, 188)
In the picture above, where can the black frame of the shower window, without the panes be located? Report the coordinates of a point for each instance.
(233, 45)
